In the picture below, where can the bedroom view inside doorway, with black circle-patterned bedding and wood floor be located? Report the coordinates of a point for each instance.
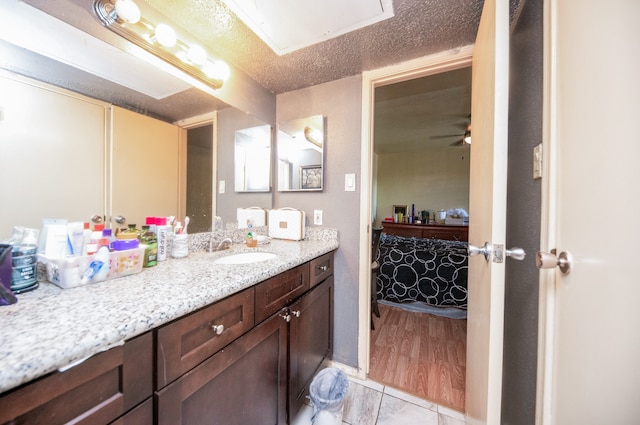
(418, 343)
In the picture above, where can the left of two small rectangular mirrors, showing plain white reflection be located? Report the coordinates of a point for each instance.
(252, 159)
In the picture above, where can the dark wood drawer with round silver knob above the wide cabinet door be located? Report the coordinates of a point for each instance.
(192, 339)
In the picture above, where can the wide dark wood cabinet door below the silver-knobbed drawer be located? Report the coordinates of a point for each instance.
(243, 384)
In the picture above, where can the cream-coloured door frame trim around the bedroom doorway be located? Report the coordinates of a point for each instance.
(433, 65)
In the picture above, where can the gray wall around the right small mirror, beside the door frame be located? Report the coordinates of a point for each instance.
(340, 102)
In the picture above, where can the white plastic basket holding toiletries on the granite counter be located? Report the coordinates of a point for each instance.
(70, 272)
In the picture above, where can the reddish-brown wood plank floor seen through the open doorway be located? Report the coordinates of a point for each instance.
(420, 354)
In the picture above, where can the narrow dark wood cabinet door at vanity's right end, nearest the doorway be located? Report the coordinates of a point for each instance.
(310, 340)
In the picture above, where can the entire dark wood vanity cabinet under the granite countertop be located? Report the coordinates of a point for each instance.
(246, 359)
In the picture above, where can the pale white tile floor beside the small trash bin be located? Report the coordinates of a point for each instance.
(371, 403)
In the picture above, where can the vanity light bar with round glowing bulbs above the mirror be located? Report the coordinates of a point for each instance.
(123, 18)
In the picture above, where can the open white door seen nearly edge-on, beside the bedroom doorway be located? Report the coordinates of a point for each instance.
(487, 206)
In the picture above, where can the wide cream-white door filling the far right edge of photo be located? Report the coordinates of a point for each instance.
(590, 357)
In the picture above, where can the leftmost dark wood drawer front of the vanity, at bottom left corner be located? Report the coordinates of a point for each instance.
(99, 390)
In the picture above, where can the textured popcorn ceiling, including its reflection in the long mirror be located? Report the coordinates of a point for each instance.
(419, 28)
